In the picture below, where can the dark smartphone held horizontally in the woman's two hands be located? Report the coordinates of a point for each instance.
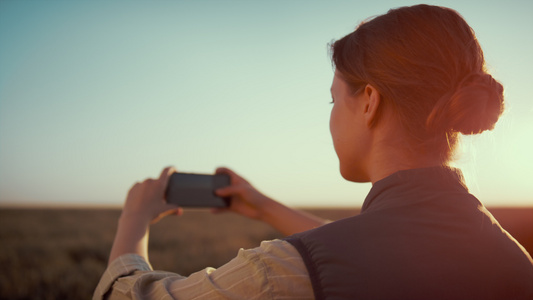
(196, 190)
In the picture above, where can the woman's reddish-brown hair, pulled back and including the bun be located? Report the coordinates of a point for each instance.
(428, 67)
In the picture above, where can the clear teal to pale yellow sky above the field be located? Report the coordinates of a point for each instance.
(95, 95)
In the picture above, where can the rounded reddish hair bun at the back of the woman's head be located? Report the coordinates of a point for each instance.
(474, 106)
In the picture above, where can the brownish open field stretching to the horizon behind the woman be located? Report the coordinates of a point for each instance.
(61, 253)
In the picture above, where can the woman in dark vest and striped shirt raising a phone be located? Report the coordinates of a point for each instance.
(406, 84)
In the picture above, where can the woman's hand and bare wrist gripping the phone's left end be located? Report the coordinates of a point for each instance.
(145, 205)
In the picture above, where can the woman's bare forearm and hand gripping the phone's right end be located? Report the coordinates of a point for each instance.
(248, 201)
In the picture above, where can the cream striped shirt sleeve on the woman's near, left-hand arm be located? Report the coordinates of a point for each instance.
(274, 270)
